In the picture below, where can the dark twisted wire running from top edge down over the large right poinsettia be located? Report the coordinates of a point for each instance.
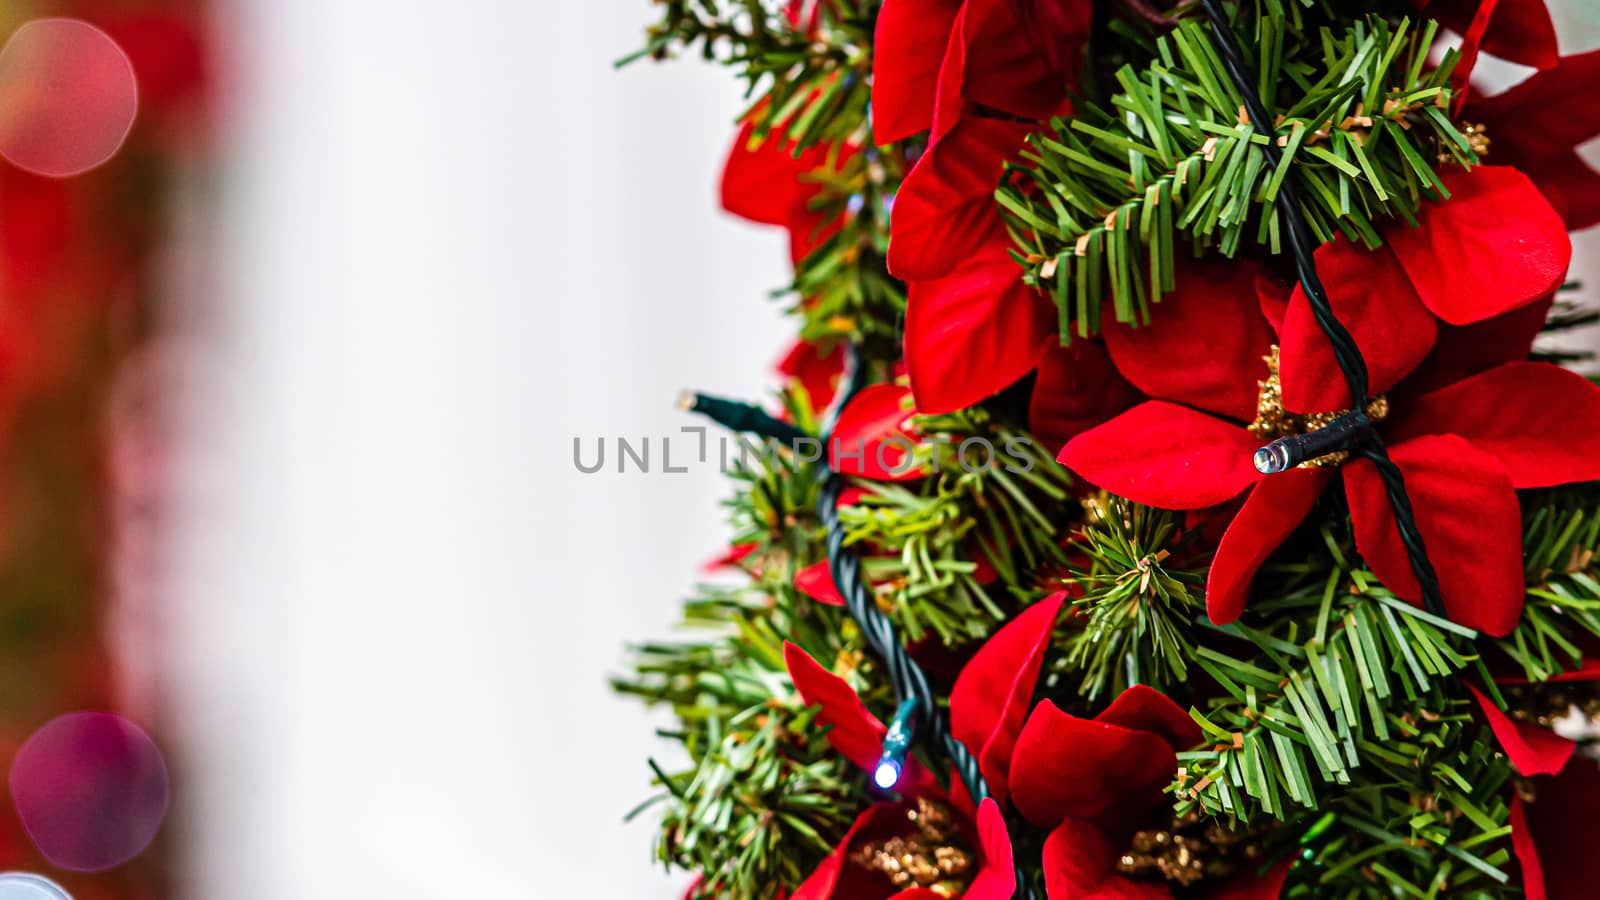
(1345, 348)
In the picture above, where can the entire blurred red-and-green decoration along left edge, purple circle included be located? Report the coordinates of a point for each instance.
(82, 273)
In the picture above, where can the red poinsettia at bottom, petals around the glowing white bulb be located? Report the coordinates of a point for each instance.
(858, 736)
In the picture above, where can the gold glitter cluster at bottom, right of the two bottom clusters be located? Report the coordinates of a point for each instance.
(1190, 851)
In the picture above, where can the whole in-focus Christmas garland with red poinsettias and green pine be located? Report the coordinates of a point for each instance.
(1186, 267)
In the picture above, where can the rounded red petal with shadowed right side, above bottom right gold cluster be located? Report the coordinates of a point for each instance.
(1065, 768)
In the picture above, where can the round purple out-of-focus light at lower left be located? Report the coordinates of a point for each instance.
(92, 790)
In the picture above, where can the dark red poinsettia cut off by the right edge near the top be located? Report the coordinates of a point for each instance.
(1538, 127)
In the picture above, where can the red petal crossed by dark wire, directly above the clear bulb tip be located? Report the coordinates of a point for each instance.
(1370, 295)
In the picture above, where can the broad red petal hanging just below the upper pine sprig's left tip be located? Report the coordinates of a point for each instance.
(975, 332)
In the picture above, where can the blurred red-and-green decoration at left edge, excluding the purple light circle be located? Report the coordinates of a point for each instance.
(81, 278)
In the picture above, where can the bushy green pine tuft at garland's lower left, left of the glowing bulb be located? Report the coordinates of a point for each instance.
(764, 797)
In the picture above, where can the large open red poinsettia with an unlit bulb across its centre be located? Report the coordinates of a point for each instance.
(1465, 448)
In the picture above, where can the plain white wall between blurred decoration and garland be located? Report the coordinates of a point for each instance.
(452, 241)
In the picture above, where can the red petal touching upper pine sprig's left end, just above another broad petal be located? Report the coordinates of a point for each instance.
(945, 211)
